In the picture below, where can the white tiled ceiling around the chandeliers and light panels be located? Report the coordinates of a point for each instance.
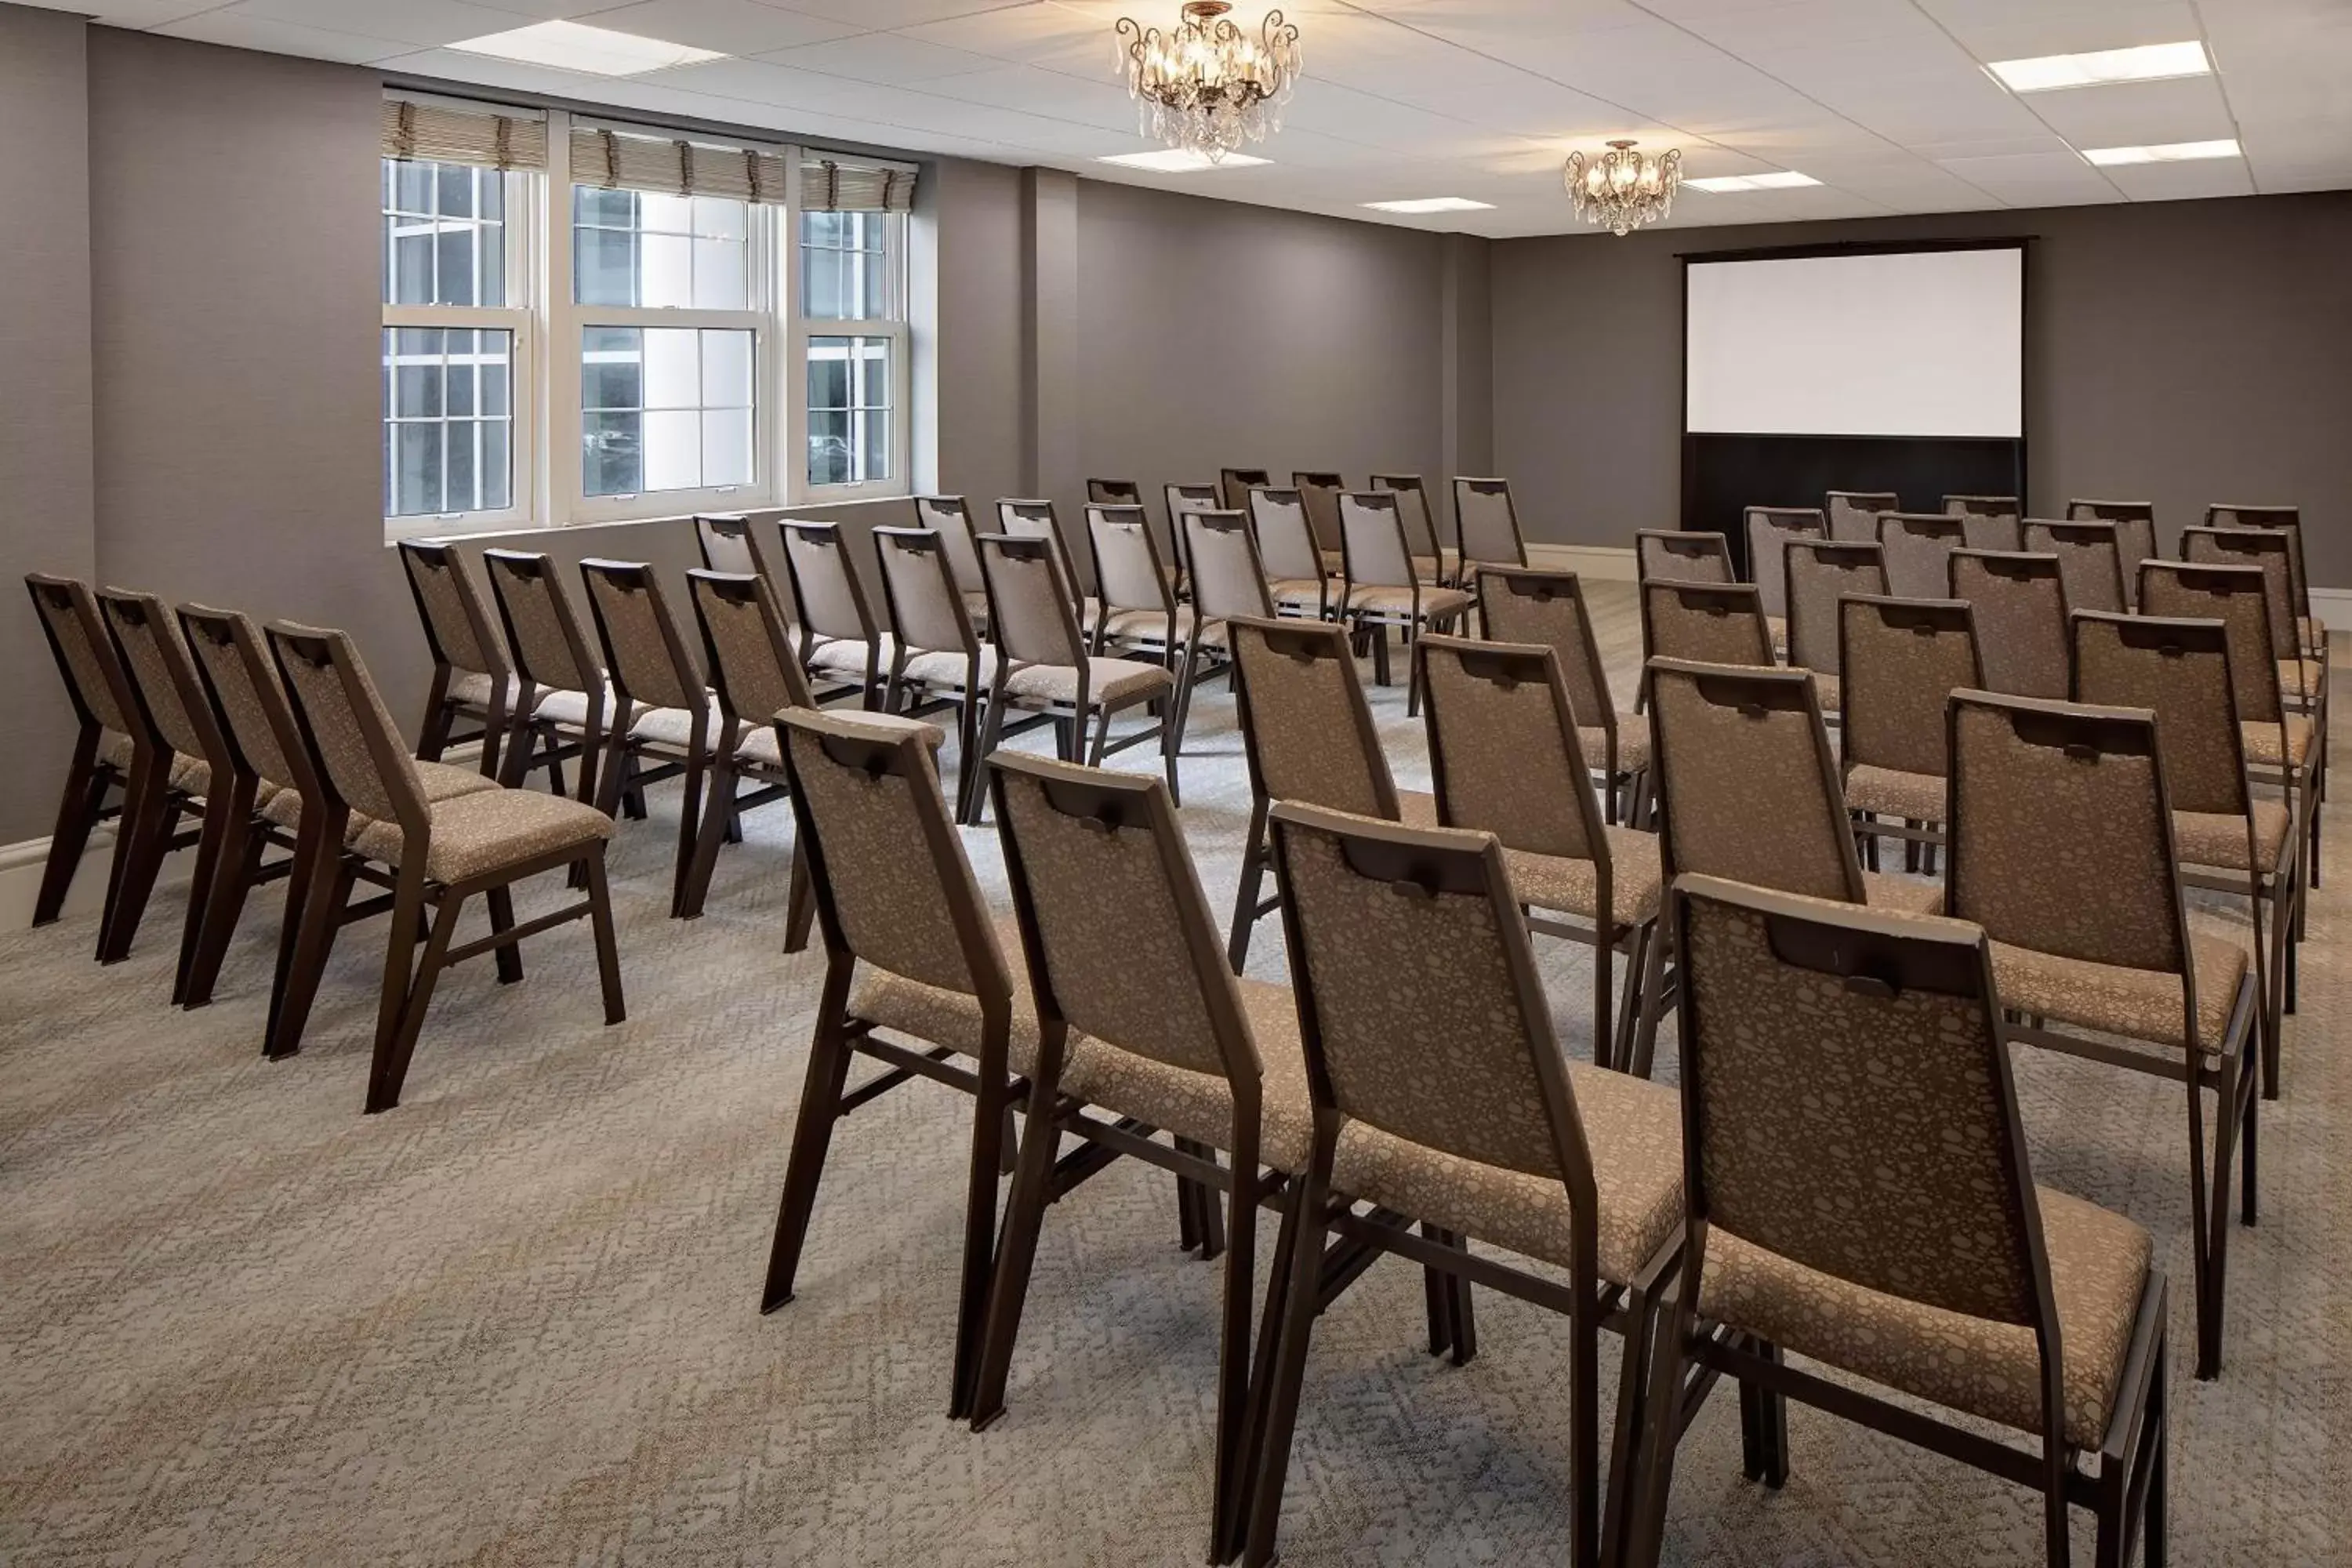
(1883, 100)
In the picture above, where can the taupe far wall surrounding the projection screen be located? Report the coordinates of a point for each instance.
(2177, 354)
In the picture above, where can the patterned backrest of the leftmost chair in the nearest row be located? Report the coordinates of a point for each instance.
(893, 883)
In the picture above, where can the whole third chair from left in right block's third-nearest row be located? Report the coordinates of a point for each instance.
(1904, 659)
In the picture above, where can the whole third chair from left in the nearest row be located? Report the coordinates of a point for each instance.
(1408, 942)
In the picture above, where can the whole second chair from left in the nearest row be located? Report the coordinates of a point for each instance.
(1142, 1024)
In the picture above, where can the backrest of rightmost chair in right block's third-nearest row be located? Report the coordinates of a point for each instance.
(2181, 674)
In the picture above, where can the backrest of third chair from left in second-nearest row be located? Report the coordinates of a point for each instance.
(1746, 779)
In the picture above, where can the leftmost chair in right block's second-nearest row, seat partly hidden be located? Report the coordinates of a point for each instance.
(1309, 737)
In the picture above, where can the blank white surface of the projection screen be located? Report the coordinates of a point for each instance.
(1878, 344)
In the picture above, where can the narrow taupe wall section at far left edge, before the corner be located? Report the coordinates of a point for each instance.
(44, 387)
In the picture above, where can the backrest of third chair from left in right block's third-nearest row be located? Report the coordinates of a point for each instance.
(1904, 659)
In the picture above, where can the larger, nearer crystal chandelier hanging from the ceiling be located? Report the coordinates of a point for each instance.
(1208, 86)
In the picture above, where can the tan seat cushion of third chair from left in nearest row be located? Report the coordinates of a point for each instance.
(1633, 1130)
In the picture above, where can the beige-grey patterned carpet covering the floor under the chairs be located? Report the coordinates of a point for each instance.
(516, 1320)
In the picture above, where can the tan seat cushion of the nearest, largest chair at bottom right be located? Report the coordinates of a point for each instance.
(2099, 1271)
